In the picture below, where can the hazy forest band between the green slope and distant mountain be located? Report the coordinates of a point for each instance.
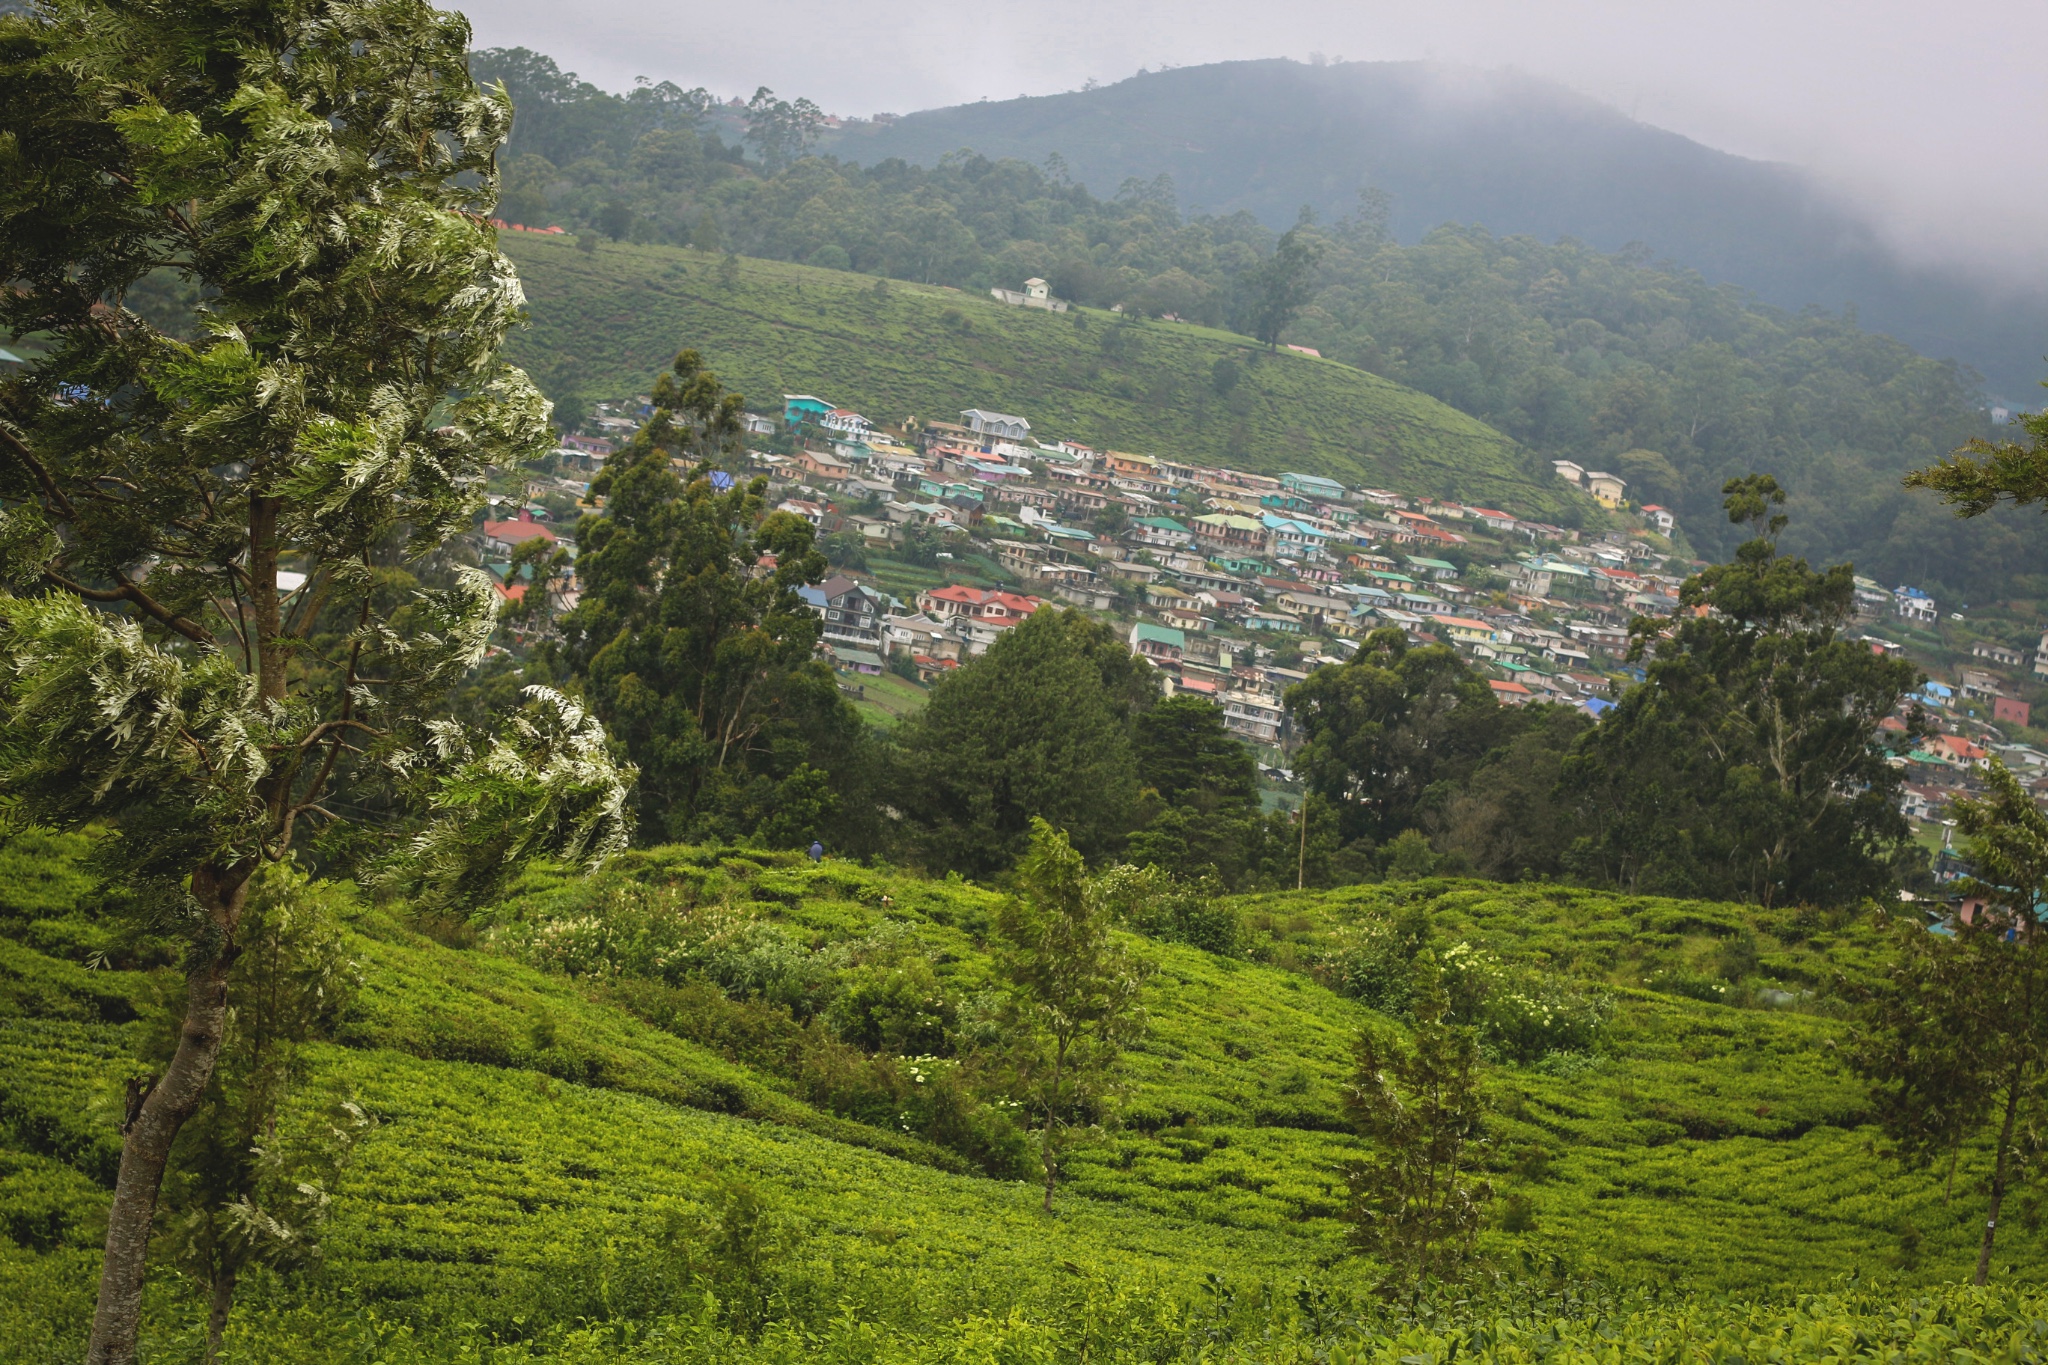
(1609, 359)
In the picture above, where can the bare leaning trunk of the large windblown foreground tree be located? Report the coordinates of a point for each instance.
(144, 1153)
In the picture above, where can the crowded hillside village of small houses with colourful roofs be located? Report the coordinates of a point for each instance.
(1236, 584)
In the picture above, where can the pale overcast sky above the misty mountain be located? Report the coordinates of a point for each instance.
(1930, 114)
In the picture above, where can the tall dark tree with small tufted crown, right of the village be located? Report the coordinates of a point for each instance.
(1750, 764)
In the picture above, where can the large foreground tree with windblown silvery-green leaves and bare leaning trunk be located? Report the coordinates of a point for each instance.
(325, 179)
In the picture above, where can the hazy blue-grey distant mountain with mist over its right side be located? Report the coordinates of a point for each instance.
(1494, 148)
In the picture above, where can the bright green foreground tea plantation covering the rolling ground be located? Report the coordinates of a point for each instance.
(620, 1120)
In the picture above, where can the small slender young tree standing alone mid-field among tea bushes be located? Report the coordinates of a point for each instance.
(1074, 996)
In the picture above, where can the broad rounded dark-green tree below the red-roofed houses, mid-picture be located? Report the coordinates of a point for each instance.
(1035, 728)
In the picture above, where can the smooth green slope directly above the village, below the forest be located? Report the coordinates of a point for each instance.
(605, 324)
